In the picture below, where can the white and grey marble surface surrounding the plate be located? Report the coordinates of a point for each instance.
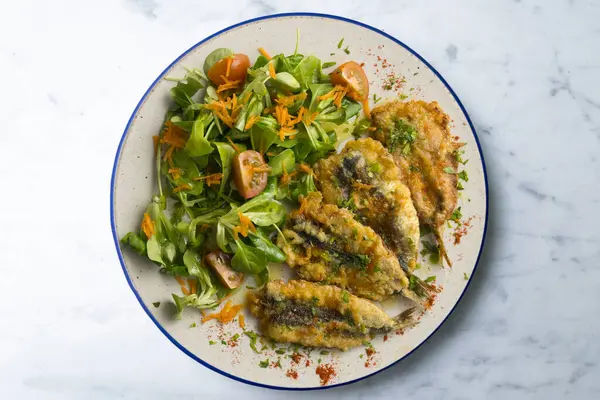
(527, 71)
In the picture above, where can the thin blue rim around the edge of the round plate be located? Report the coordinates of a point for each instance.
(116, 164)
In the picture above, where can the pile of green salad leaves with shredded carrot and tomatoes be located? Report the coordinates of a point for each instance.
(286, 110)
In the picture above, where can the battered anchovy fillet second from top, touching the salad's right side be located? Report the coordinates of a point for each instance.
(365, 179)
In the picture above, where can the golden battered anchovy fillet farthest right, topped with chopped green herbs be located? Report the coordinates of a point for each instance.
(418, 136)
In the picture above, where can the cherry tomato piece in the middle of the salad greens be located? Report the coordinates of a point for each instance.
(250, 173)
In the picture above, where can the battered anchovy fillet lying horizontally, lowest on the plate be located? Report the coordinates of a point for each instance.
(320, 315)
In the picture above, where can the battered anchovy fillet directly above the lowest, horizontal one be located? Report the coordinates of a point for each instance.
(324, 243)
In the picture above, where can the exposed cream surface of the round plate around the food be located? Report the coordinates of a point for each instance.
(393, 70)
